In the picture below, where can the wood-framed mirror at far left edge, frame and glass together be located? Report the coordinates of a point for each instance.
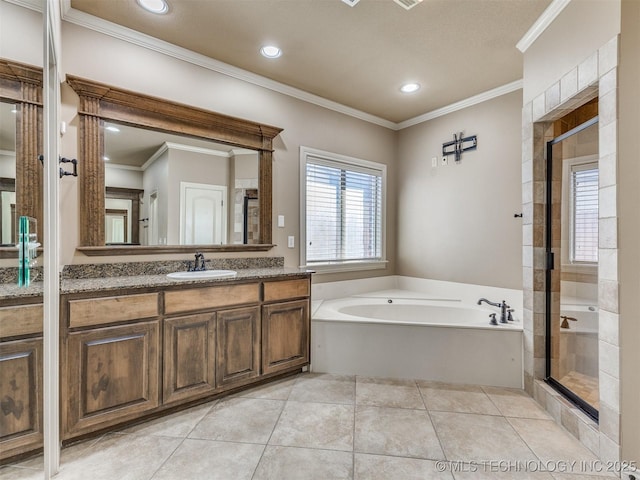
(21, 172)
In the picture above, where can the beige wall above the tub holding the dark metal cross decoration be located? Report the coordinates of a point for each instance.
(456, 222)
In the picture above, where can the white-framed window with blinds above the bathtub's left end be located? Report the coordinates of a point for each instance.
(343, 211)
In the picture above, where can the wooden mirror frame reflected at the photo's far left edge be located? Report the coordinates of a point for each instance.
(22, 84)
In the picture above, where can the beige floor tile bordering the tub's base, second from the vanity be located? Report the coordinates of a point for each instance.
(381, 392)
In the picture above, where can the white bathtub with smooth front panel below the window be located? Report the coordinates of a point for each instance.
(430, 335)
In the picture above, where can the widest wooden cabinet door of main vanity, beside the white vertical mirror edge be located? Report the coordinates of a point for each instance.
(111, 375)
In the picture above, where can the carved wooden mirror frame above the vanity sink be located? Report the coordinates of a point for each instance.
(99, 103)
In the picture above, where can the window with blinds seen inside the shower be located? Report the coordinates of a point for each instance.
(584, 213)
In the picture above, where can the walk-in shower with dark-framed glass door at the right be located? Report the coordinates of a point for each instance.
(572, 259)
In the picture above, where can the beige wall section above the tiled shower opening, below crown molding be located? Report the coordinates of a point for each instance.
(581, 28)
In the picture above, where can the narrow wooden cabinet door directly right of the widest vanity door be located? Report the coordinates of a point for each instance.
(189, 356)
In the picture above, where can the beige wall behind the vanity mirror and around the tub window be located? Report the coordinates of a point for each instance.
(92, 55)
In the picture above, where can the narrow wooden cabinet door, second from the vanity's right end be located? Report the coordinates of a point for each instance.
(238, 341)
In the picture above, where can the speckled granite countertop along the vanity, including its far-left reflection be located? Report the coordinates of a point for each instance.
(105, 284)
